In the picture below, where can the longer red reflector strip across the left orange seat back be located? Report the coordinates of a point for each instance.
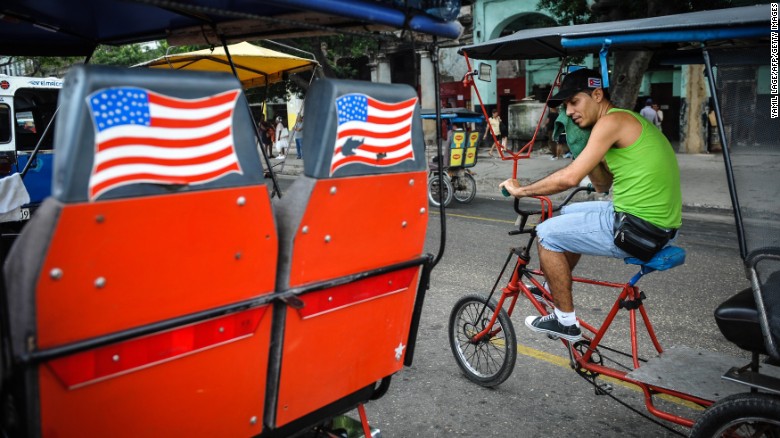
(124, 357)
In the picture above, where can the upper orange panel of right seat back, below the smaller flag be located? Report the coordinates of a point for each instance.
(356, 224)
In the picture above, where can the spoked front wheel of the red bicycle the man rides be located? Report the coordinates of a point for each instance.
(490, 360)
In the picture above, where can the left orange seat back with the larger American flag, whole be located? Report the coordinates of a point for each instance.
(144, 280)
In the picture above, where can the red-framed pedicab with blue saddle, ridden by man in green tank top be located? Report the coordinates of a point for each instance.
(738, 399)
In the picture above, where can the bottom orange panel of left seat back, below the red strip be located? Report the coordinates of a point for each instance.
(214, 392)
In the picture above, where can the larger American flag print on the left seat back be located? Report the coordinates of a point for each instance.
(147, 137)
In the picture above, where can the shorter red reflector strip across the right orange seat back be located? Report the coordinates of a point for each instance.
(328, 300)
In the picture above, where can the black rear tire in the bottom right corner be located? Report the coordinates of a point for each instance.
(748, 414)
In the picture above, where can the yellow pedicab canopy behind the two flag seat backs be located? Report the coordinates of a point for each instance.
(256, 66)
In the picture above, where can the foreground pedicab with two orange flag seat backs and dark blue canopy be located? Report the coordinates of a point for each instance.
(159, 291)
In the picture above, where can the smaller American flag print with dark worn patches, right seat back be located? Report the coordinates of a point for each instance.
(372, 132)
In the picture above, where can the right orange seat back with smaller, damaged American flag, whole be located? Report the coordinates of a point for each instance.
(361, 206)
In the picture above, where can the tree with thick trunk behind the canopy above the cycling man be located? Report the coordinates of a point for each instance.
(629, 66)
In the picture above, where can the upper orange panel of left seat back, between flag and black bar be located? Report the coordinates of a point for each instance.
(130, 262)
